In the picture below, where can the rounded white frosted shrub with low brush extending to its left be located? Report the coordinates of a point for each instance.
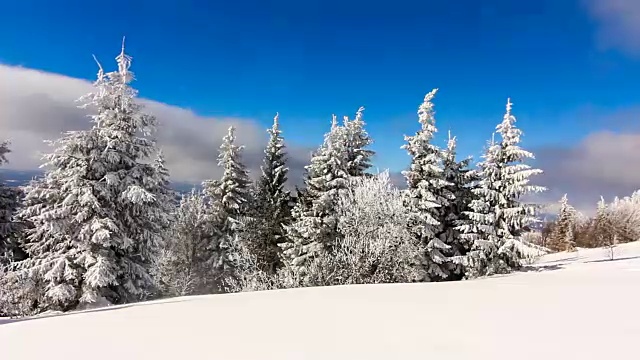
(376, 246)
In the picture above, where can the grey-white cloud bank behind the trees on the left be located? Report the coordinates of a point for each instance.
(36, 106)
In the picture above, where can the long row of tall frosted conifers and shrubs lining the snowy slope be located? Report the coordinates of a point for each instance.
(103, 225)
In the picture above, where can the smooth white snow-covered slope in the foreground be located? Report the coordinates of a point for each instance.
(569, 306)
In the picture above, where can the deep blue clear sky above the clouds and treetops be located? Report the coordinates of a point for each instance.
(309, 59)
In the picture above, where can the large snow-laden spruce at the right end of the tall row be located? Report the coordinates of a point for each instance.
(498, 217)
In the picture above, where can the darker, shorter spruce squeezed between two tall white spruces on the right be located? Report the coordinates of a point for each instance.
(461, 180)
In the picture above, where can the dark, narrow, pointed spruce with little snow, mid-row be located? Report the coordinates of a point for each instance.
(263, 229)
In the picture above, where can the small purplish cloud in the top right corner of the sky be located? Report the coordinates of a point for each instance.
(618, 23)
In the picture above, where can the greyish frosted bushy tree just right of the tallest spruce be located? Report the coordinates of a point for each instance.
(185, 266)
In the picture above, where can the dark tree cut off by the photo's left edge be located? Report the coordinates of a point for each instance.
(9, 202)
